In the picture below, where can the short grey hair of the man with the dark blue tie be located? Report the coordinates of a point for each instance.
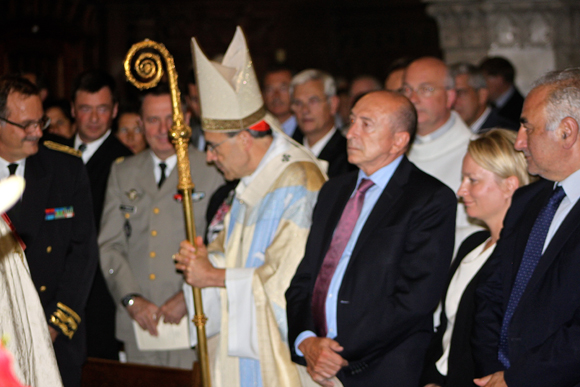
(563, 96)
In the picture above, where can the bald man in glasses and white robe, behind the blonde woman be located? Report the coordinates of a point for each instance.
(442, 136)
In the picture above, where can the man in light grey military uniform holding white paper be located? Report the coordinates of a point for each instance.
(142, 223)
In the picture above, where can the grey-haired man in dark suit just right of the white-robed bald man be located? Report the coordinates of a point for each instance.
(472, 102)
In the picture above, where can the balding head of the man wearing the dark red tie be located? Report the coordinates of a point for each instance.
(382, 126)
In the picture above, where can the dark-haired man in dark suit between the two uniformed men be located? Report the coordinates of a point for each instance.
(94, 107)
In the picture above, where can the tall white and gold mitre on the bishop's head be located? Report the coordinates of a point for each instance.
(229, 92)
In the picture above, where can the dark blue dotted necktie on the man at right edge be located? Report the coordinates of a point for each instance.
(531, 257)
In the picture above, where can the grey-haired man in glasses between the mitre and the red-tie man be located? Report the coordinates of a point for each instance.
(314, 103)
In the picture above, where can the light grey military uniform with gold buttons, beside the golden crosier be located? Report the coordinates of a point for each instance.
(141, 228)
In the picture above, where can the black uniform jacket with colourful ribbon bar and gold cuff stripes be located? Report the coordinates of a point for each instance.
(55, 221)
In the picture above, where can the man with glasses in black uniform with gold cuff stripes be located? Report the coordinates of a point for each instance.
(54, 220)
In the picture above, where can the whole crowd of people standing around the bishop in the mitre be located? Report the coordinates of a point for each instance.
(420, 231)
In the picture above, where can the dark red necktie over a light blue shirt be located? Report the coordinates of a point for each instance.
(339, 241)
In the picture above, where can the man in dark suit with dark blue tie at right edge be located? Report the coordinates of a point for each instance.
(527, 330)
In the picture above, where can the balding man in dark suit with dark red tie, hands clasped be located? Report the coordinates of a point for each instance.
(377, 311)
